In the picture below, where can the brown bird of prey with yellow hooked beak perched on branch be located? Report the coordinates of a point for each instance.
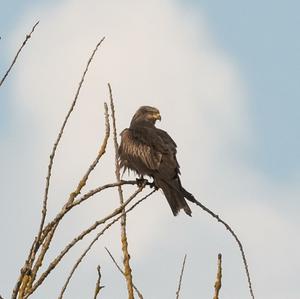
(150, 151)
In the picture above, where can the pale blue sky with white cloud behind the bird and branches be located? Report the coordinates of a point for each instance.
(225, 78)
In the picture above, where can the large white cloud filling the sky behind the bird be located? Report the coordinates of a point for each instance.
(159, 54)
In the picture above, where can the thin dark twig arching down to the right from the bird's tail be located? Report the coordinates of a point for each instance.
(235, 237)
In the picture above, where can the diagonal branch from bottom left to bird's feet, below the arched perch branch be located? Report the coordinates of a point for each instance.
(55, 262)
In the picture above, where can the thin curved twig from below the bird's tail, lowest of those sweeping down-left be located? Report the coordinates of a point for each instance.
(93, 242)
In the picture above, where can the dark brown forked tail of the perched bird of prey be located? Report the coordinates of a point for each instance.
(175, 195)
